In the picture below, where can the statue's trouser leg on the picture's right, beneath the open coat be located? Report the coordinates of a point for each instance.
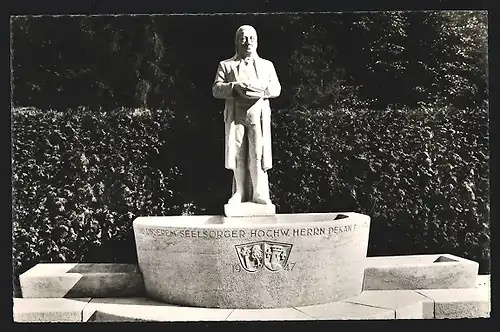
(259, 177)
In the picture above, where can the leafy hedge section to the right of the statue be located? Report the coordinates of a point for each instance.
(422, 175)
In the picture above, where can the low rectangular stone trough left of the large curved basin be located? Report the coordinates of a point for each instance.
(76, 280)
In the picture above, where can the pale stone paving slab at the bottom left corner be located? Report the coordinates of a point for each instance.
(49, 310)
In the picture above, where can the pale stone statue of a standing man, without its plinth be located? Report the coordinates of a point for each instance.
(246, 82)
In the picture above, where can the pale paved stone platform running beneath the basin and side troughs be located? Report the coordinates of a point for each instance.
(380, 304)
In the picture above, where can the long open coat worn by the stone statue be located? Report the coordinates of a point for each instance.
(227, 73)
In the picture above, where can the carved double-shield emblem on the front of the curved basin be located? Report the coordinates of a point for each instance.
(271, 255)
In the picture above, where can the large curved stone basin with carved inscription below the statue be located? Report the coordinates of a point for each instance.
(287, 260)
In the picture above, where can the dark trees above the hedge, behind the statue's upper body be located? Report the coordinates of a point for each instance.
(381, 59)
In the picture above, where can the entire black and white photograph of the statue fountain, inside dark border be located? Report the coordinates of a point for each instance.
(288, 166)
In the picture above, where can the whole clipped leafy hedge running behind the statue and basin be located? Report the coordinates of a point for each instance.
(80, 177)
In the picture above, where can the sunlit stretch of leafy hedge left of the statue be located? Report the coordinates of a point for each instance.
(79, 178)
